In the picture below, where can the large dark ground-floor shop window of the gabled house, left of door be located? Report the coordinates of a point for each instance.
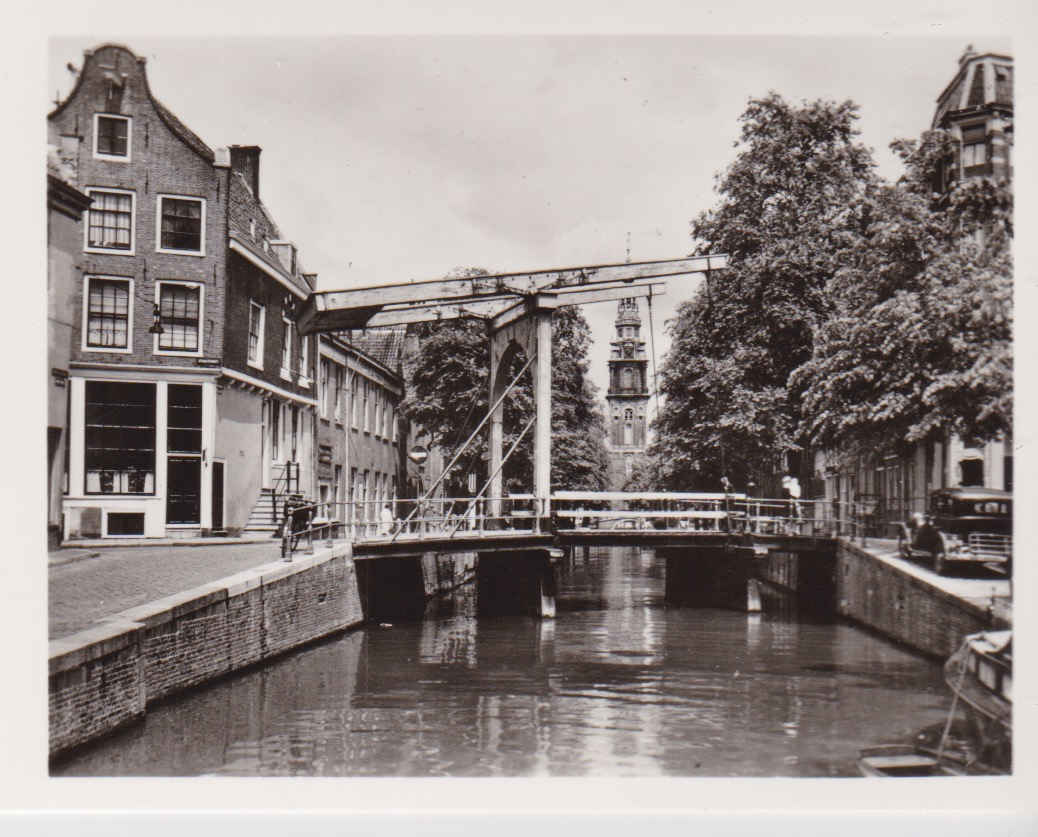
(120, 439)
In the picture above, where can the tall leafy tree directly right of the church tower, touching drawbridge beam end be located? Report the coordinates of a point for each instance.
(789, 209)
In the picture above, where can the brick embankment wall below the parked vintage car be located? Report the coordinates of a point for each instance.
(885, 598)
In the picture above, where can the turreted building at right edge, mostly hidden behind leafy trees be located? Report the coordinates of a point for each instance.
(976, 109)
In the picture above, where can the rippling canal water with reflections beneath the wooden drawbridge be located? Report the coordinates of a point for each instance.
(617, 685)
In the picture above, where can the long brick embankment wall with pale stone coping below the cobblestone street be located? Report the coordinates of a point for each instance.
(104, 678)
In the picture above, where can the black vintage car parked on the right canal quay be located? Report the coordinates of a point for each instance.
(964, 526)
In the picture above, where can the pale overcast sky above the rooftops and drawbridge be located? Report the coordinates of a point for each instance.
(389, 158)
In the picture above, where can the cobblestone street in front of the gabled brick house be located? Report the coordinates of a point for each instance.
(106, 581)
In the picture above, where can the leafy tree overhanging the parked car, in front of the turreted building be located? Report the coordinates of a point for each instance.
(920, 340)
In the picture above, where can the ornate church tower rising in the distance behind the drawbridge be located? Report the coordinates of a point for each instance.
(627, 399)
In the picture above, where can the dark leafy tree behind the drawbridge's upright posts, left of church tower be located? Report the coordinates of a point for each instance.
(447, 396)
